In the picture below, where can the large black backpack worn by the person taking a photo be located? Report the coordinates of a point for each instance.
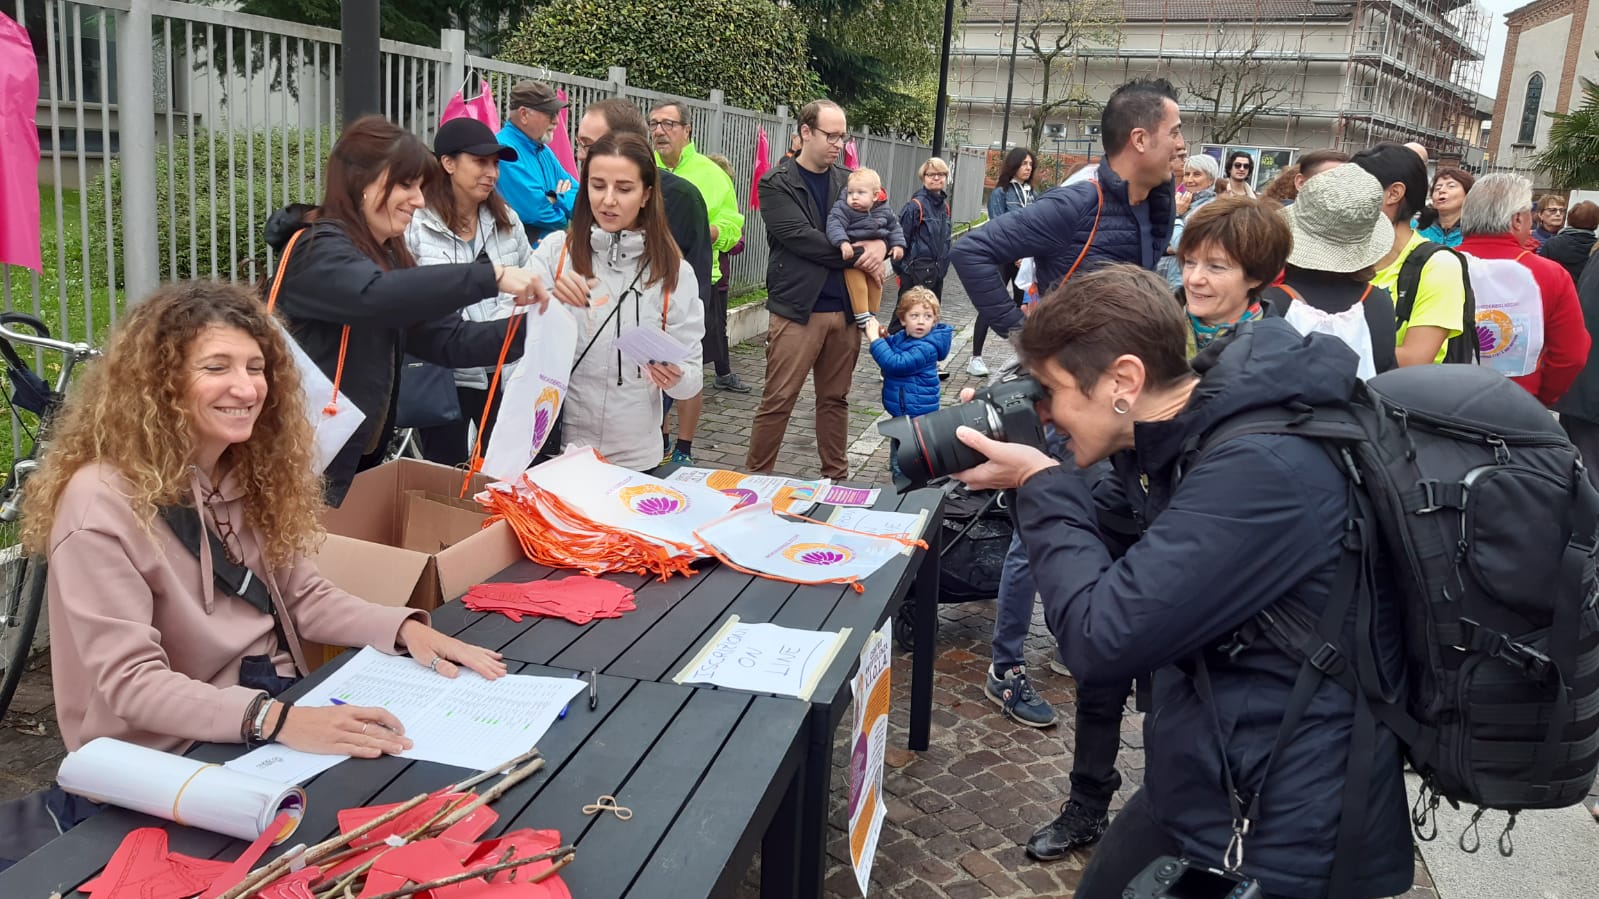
(1472, 495)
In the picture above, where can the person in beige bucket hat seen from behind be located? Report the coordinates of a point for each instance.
(1339, 236)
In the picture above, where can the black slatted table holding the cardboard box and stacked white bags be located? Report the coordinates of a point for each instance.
(676, 618)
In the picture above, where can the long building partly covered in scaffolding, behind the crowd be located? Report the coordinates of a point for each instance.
(1298, 74)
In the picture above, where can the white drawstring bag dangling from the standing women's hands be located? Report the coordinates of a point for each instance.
(535, 393)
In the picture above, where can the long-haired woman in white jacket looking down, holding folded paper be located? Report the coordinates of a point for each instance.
(620, 241)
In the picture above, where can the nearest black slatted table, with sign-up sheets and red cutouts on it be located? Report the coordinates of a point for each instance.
(709, 775)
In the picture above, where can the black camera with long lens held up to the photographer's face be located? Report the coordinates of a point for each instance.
(927, 446)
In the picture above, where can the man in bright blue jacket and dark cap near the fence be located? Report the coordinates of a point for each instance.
(536, 185)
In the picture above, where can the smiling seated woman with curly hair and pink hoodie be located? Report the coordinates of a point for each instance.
(181, 463)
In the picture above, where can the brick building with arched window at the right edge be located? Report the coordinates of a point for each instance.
(1549, 49)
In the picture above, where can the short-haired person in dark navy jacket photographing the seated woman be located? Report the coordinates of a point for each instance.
(1254, 519)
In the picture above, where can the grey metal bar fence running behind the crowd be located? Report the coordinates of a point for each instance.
(170, 132)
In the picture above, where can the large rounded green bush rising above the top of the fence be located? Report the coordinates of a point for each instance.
(754, 50)
